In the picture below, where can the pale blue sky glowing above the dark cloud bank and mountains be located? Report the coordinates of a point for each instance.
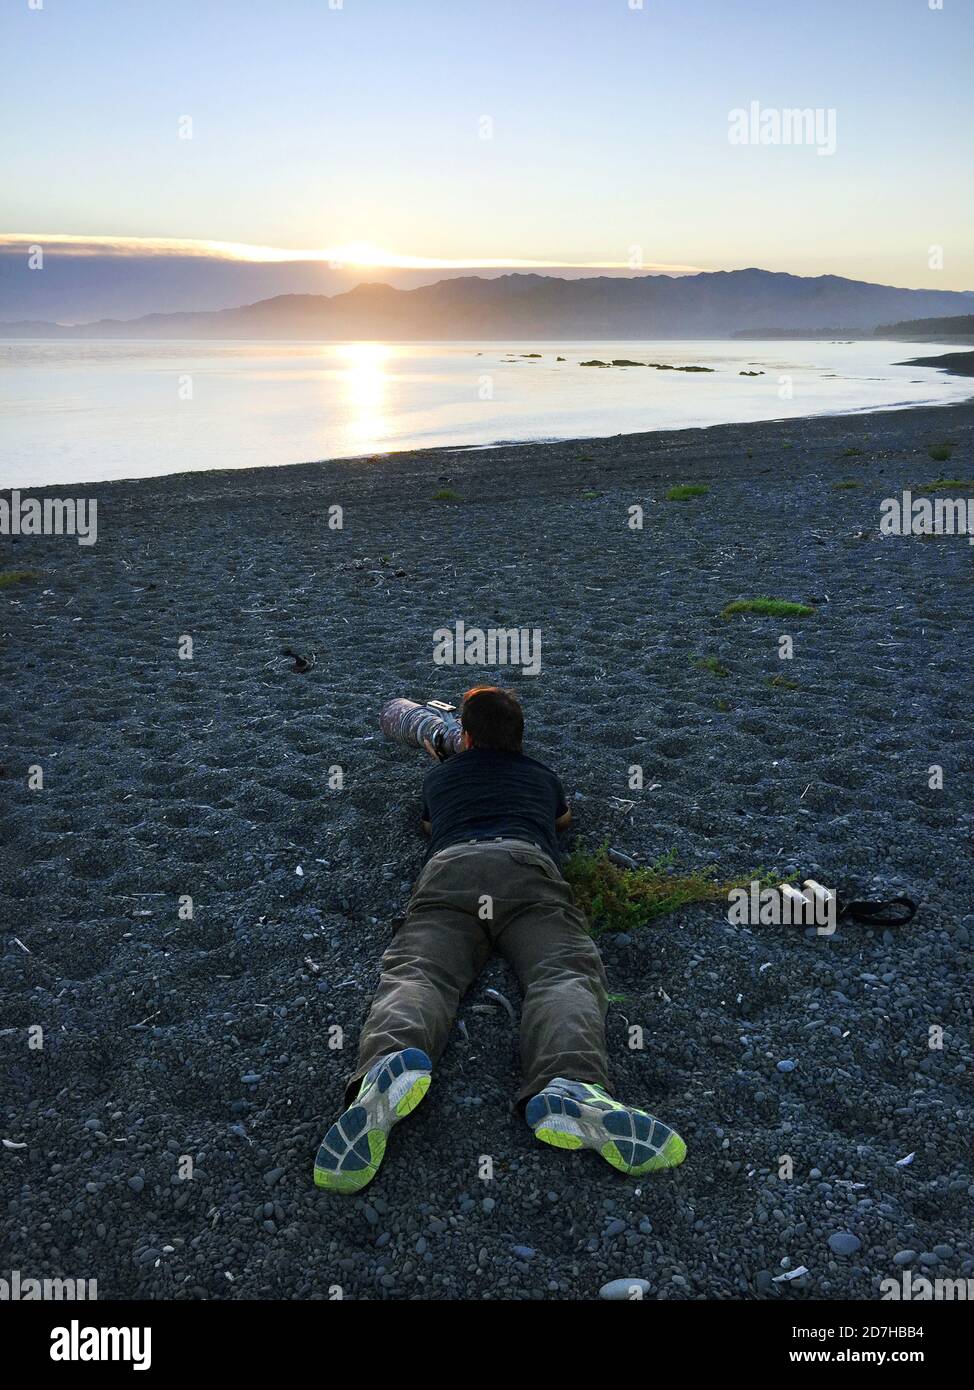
(561, 133)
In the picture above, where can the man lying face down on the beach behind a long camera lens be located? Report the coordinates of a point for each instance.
(493, 882)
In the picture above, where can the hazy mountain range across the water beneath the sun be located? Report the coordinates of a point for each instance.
(529, 306)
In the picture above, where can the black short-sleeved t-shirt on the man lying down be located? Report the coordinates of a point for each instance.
(486, 793)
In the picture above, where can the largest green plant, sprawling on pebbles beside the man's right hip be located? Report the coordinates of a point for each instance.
(622, 900)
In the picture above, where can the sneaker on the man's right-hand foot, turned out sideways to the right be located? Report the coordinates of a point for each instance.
(579, 1115)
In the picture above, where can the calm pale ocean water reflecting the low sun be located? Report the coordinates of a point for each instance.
(88, 412)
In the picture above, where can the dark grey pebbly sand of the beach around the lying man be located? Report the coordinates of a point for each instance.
(167, 1038)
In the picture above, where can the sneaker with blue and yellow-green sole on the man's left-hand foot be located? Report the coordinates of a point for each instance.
(354, 1147)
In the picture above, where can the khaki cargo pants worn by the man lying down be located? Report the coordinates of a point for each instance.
(444, 945)
